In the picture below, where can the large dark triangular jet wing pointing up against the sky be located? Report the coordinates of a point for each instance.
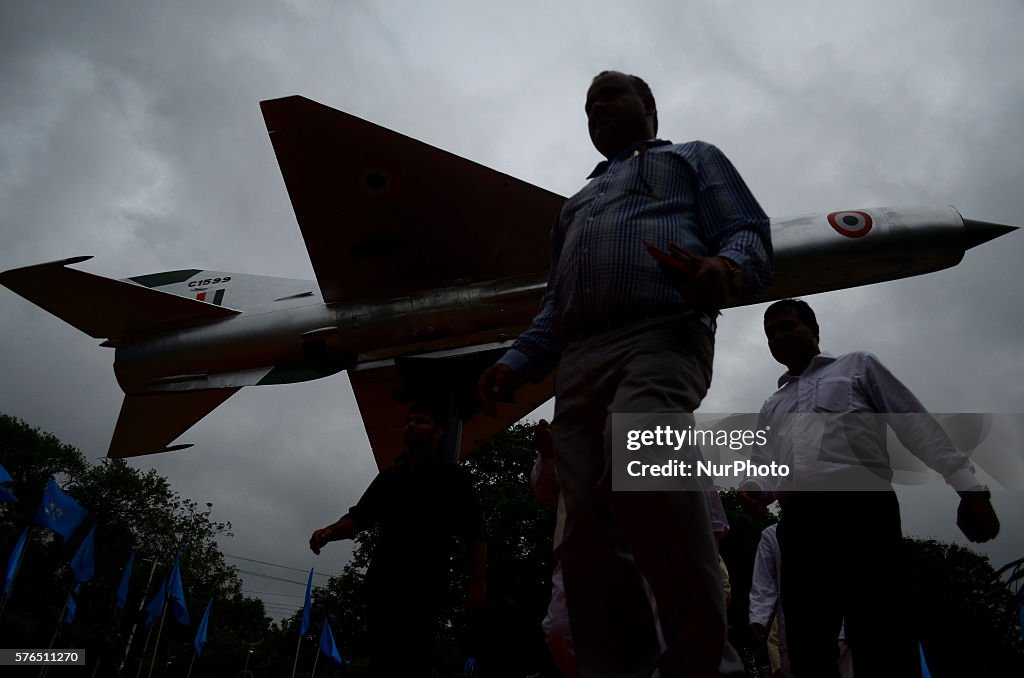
(385, 216)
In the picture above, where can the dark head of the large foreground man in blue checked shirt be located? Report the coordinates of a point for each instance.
(621, 111)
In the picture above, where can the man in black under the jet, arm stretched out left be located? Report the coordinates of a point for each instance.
(420, 504)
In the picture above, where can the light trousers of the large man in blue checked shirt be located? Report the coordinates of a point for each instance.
(615, 540)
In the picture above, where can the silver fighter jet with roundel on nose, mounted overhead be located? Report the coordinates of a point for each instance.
(426, 265)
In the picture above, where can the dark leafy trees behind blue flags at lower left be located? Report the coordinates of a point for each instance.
(132, 511)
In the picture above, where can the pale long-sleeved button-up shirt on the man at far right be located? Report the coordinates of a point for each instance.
(830, 423)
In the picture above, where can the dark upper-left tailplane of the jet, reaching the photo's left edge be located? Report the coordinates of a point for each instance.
(104, 308)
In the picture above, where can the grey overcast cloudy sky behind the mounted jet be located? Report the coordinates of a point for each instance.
(133, 133)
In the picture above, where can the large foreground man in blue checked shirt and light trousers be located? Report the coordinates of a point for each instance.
(629, 340)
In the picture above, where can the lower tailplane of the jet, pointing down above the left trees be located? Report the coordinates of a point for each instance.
(149, 422)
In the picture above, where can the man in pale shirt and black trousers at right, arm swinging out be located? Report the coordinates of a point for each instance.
(840, 535)
